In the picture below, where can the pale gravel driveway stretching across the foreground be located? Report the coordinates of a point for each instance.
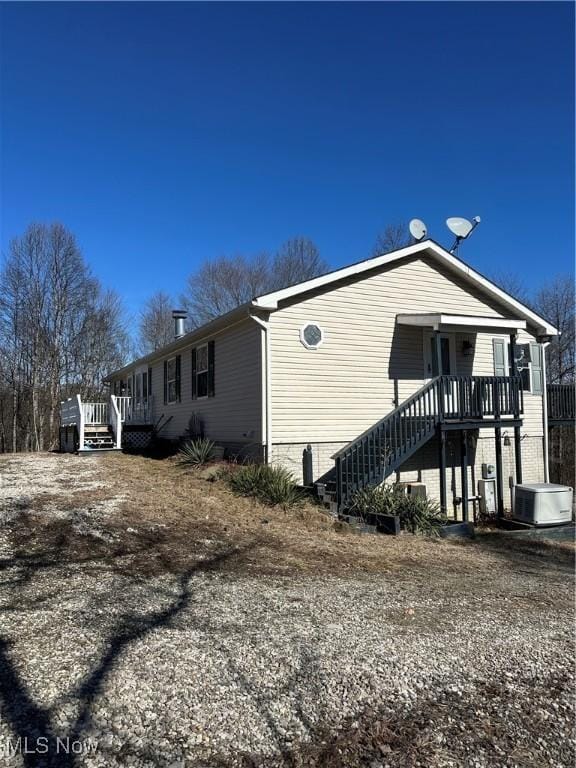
(212, 666)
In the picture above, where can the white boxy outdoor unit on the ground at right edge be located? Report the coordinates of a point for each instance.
(543, 503)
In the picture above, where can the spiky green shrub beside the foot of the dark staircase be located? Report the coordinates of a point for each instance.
(417, 514)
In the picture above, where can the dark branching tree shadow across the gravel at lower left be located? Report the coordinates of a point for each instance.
(46, 745)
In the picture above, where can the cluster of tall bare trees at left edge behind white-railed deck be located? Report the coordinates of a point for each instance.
(57, 329)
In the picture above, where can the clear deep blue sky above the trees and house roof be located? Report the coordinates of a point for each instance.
(165, 134)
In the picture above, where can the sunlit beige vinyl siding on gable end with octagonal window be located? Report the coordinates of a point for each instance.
(335, 392)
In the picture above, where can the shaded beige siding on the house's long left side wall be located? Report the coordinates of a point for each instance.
(233, 415)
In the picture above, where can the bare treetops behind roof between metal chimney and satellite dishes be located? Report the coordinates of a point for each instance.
(224, 283)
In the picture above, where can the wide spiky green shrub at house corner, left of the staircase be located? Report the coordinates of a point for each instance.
(271, 485)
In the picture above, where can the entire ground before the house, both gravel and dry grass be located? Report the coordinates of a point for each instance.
(108, 547)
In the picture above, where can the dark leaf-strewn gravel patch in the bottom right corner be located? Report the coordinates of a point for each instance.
(493, 722)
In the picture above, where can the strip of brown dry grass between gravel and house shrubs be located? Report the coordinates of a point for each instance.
(182, 509)
